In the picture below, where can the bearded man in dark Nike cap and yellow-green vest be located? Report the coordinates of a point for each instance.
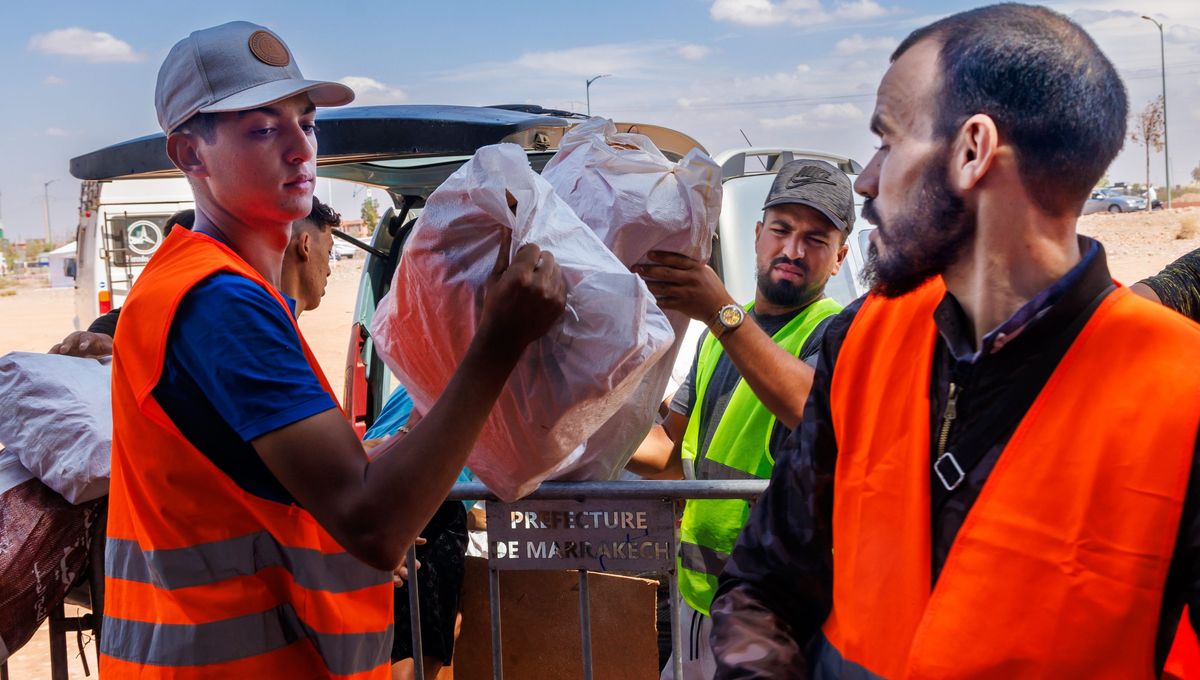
(751, 381)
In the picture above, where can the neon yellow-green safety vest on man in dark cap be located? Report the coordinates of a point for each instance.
(740, 450)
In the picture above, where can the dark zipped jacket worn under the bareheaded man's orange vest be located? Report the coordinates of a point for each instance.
(777, 588)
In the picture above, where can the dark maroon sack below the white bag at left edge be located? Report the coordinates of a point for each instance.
(45, 544)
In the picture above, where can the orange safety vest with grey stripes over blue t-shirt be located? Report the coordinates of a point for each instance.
(205, 580)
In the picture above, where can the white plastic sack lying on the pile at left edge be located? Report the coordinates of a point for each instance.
(58, 419)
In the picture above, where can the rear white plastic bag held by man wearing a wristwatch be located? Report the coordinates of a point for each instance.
(637, 201)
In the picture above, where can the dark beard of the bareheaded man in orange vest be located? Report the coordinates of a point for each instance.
(922, 243)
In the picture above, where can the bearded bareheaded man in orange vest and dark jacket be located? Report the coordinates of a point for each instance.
(997, 471)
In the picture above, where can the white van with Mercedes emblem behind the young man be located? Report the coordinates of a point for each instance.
(122, 224)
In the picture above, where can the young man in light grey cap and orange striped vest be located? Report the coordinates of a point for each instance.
(249, 535)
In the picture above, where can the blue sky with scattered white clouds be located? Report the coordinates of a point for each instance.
(80, 76)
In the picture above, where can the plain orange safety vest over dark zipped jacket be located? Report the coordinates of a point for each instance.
(1060, 567)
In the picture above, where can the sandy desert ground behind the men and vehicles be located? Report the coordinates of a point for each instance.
(33, 320)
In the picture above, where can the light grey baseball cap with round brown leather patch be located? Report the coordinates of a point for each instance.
(233, 68)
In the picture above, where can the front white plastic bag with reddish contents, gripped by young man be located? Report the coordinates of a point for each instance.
(571, 382)
